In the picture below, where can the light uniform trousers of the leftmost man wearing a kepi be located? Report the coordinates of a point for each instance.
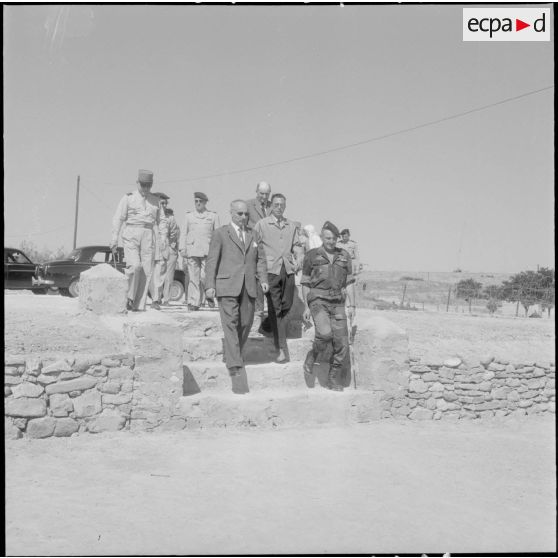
(139, 248)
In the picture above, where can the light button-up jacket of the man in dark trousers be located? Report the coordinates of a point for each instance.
(278, 240)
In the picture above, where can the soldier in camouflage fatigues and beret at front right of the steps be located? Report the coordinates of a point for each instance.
(327, 280)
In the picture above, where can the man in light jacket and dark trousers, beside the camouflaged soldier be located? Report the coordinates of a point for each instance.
(283, 249)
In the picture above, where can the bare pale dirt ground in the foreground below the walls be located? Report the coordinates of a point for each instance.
(384, 487)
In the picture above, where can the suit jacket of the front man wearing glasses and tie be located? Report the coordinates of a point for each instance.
(228, 265)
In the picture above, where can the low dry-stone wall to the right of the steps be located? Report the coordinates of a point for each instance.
(454, 389)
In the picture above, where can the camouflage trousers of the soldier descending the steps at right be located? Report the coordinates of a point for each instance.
(330, 321)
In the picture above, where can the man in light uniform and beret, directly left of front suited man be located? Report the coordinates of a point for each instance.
(194, 247)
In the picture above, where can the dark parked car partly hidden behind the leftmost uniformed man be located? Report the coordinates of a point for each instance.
(64, 274)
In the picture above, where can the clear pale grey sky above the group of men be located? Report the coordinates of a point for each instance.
(202, 94)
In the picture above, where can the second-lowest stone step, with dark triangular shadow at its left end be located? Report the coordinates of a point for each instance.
(211, 376)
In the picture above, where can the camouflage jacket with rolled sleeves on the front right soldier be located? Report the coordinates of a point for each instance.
(324, 276)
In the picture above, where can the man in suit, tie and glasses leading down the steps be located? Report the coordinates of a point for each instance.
(233, 262)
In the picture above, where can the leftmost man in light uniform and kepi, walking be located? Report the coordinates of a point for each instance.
(139, 212)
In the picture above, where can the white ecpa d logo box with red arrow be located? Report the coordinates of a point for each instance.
(506, 24)
